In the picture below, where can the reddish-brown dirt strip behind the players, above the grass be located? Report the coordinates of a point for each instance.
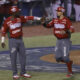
(39, 30)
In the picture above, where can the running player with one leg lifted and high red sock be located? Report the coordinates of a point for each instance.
(62, 28)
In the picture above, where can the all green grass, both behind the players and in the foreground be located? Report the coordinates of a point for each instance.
(41, 41)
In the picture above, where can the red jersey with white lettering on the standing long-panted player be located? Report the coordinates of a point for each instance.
(14, 27)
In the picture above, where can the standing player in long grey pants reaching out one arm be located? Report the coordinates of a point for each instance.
(13, 26)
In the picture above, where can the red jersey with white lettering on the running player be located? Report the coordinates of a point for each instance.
(60, 25)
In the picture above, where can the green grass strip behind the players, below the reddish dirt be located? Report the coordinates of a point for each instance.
(44, 41)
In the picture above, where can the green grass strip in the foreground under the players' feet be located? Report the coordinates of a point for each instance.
(7, 75)
